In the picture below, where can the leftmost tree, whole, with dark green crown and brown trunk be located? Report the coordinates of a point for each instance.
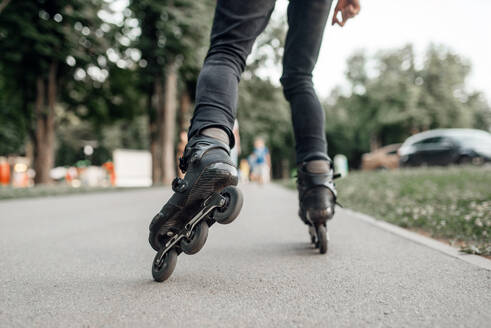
(42, 45)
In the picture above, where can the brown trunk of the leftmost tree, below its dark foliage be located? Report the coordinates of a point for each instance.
(45, 126)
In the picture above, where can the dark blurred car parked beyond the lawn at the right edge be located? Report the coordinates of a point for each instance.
(445, 147)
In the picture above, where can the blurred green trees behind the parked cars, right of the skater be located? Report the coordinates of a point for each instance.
(396, 99)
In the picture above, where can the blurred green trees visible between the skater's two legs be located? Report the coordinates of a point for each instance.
(261, 103)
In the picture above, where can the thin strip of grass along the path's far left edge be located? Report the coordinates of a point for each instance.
(50, 190)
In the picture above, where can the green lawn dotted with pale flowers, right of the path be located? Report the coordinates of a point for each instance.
(452, 203)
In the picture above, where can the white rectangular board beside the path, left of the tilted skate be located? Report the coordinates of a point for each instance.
(133, 168)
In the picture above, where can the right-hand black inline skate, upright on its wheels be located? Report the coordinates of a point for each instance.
(317, 197)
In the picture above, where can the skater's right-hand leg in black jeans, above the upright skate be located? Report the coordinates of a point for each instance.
(306, 20)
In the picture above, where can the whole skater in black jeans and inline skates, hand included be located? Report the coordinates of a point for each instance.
(206, 159)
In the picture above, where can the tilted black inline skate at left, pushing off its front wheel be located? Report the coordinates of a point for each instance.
(206, 195)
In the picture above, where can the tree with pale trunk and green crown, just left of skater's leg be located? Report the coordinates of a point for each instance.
(171, 33)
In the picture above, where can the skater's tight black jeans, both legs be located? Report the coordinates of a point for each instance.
(236, 25)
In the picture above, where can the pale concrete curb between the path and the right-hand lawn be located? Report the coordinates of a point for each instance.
(476, 260)
